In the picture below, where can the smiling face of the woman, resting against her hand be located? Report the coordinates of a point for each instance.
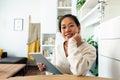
(69, 28)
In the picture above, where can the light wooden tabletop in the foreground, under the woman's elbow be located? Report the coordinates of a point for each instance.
(56, 77)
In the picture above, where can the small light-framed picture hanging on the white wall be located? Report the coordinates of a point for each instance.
(18, 24)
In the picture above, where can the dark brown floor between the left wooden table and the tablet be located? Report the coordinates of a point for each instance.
(33, 70)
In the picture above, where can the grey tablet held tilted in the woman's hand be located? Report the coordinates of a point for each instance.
(49, 66)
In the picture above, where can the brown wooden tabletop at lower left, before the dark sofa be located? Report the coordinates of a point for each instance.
(8, 70)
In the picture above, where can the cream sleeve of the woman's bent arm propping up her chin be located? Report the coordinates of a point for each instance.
(80, 58)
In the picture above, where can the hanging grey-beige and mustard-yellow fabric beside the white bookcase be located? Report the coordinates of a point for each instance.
(33, 38)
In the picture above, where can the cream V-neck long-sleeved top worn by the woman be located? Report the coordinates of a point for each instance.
(79, 59)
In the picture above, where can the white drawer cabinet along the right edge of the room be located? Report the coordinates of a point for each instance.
(109, 50)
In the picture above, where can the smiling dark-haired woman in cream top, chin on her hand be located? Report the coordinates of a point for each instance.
(72, 56)
